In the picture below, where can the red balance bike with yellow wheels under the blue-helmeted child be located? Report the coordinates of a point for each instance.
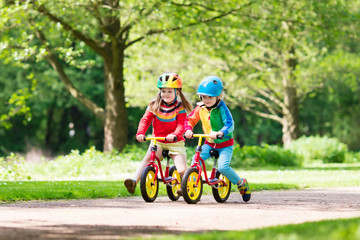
(192, 183)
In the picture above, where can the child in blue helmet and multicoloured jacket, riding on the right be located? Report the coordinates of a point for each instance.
(216, 120)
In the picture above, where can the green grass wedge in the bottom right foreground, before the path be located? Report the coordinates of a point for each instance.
(344, 229)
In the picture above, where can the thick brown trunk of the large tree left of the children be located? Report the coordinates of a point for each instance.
(116, 120)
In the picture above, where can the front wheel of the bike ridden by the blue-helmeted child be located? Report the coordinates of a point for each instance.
(191, 192)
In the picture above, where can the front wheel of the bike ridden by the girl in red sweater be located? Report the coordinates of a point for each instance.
(149, 188)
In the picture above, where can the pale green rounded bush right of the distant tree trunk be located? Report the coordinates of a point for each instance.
(315, 148)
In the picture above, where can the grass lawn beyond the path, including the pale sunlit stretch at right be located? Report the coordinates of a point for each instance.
(329, 175)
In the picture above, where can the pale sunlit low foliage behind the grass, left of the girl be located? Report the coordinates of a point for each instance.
(73, 166)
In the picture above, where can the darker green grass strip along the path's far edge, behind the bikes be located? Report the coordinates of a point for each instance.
(53, 190)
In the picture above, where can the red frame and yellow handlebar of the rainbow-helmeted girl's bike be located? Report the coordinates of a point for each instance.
(155, 162)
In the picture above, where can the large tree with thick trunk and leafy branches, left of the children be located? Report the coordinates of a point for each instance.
(58, 31)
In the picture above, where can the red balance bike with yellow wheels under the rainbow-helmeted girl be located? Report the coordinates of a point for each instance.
(149, 181)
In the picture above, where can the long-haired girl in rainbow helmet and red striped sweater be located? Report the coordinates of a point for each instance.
(167, 115)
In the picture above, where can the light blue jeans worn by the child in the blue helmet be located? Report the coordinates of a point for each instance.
(224, 160)
